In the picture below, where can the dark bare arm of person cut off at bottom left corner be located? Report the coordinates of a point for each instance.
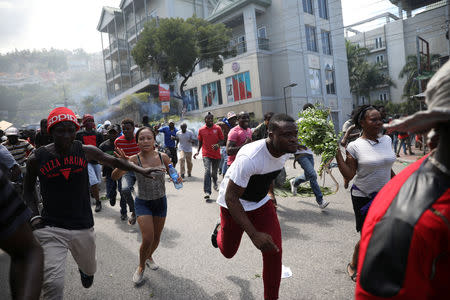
(27, 262)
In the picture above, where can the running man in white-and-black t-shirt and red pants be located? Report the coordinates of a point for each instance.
(247, 202)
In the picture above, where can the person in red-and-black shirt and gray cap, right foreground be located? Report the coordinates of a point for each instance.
(405, 241)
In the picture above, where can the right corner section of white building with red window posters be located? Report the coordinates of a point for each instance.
(279, 44)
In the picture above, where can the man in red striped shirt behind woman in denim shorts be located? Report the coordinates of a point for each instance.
(127, 143)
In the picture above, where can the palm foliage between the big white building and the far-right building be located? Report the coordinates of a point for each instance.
(364, 76)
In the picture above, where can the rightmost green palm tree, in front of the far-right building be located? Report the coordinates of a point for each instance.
(409, 71)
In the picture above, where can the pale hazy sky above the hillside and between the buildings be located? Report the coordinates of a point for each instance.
(69, 24)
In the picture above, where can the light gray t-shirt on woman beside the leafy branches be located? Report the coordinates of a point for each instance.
(375, 161)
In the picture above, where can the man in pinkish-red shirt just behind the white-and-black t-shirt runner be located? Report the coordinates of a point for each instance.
(238, 136)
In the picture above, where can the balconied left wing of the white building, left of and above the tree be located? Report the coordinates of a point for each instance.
(120, 29)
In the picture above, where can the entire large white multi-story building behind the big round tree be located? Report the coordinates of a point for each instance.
(289, 53)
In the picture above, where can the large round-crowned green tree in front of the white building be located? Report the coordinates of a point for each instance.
(174, 46)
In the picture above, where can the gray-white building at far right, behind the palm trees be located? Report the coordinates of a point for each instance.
(391, 44)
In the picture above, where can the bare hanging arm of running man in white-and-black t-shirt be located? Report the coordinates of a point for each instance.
(261, 240)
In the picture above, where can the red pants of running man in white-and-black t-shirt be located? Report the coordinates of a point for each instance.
(265, 220)
